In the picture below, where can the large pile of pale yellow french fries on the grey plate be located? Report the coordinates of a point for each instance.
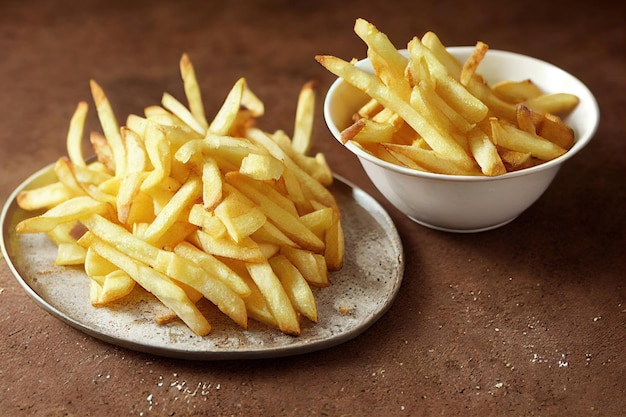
(190, 209)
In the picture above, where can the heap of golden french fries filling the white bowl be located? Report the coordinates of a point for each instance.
(431, 112)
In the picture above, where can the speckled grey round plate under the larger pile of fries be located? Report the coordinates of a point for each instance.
(359, 294)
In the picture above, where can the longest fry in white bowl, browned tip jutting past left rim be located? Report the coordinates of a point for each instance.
(371, 85)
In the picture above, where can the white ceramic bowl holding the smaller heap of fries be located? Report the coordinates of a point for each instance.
(468, 203)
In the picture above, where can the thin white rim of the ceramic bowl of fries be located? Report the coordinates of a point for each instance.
(579, 144)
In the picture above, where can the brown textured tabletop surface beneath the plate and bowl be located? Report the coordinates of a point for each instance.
(529, 319)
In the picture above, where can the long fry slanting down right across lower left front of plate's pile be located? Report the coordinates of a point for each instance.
(157, 283)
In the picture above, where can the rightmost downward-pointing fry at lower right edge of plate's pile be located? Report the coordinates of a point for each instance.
(295, 285)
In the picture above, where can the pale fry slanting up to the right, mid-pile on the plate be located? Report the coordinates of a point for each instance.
(180, 201)
